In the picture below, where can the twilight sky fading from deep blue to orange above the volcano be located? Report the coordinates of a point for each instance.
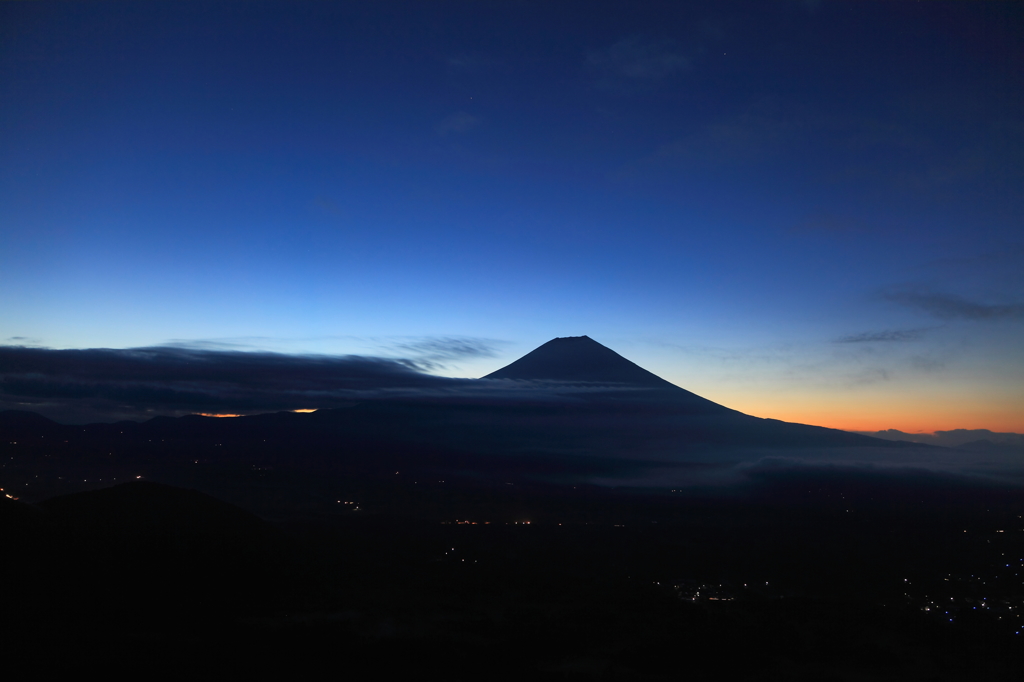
(810, 211)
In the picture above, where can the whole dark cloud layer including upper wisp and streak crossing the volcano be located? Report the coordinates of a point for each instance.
(105, 385)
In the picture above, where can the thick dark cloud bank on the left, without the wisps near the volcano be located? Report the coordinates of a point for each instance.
(178, 380)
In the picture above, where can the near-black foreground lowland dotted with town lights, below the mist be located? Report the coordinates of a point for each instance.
(873, 581)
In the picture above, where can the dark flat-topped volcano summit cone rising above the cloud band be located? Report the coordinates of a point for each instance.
(579, 359)
